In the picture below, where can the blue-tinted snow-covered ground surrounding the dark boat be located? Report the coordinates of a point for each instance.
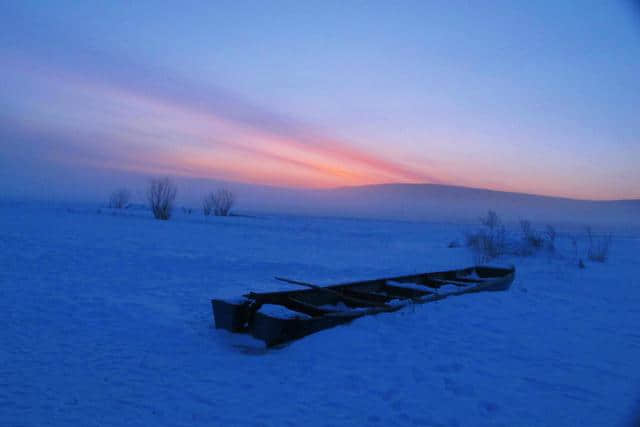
(106, 320)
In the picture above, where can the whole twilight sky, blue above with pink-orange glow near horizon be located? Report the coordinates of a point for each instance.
(539, 97)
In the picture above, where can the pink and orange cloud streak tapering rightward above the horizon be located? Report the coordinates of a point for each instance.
(119, 105)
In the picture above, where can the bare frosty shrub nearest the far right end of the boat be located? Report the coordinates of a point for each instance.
(490, 241)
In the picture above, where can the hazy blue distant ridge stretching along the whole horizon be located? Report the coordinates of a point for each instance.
(413, 202)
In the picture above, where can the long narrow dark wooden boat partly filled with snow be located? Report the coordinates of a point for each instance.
(278, 317)
